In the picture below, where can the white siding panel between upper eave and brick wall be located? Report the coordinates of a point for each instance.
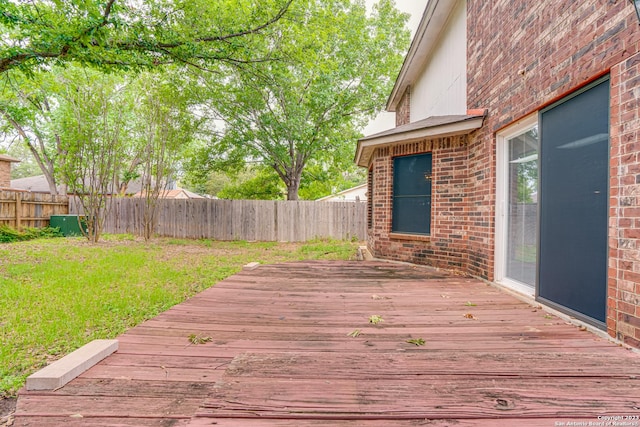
(442, 87)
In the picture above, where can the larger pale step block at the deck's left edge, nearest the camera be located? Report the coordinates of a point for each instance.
(69, 367)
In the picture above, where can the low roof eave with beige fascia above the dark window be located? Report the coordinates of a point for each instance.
(431, 127)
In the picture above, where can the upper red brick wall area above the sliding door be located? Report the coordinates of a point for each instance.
(526, 54)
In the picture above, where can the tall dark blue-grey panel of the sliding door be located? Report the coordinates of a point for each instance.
(574, 182)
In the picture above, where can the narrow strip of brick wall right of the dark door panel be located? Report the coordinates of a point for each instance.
(623, 317)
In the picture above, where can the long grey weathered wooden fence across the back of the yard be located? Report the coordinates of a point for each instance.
(252, 220)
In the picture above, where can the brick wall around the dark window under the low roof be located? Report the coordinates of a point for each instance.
(446, 247)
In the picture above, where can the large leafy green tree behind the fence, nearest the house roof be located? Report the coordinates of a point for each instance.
(339, 65)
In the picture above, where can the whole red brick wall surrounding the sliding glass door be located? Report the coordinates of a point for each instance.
(525, 55)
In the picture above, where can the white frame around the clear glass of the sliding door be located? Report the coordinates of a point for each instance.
(502, 192)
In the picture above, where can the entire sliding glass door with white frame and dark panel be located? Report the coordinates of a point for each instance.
(552, 200)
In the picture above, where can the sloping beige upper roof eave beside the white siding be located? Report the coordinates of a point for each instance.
(434, 20)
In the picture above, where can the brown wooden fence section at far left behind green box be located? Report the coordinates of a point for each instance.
(23, 209)
